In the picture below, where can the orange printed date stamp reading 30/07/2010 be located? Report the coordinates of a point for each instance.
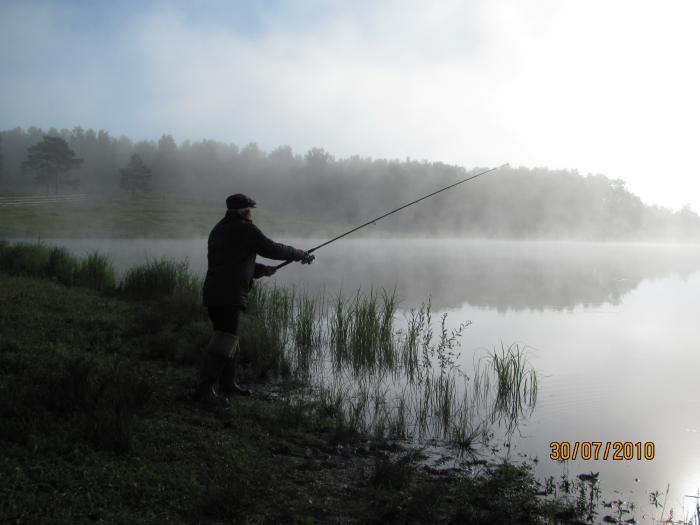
(605, 450)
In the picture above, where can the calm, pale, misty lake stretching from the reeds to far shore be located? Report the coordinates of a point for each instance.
(612, 330)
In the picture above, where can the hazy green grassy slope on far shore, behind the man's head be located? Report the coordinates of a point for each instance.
(167, 217)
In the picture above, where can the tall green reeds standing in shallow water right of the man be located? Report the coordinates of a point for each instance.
(381, 379)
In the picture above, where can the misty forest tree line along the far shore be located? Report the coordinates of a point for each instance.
(510, 203)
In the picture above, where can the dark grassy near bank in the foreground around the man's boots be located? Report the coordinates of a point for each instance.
(98, 425)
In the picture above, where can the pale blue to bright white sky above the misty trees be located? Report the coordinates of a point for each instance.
(594, 86)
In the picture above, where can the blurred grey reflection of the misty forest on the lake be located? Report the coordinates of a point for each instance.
(494, 274)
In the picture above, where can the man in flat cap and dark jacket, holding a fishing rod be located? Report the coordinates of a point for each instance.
(232, 246)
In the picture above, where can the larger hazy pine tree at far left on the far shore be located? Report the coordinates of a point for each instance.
(50, 160)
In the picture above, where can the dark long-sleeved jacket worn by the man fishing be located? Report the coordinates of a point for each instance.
(233, 244)
